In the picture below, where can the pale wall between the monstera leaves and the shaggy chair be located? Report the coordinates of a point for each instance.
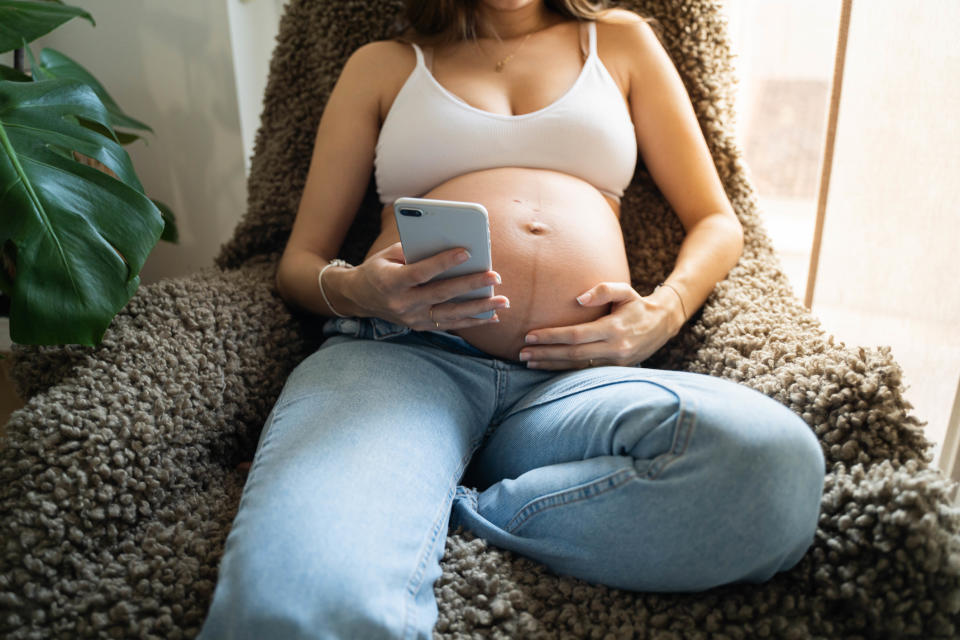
(169, 64)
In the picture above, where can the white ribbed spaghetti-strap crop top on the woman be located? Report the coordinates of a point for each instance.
(430, 135)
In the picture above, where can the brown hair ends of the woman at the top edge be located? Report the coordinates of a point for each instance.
(436, 22)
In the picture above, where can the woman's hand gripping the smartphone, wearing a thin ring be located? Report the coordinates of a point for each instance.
(385, 287)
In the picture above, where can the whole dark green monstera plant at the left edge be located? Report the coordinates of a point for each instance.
(75, 223)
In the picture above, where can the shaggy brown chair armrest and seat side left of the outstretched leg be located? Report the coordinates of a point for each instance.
(117, 480)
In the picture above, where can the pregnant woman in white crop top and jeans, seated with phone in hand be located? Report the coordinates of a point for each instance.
(535, 429)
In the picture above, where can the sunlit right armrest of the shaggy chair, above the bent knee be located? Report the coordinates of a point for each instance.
(753, 330)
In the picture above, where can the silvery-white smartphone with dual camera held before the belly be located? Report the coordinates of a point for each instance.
(428, 227)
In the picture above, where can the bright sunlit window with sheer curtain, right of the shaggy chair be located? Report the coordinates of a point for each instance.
(884, 274)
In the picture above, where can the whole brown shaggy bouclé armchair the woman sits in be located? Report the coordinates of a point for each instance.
(118, 481)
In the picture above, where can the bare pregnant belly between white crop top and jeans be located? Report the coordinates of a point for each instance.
(552, 237)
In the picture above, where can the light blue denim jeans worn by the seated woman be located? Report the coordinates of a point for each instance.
(636, 478)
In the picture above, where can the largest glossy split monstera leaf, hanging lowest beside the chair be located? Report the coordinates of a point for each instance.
(81, 236)
